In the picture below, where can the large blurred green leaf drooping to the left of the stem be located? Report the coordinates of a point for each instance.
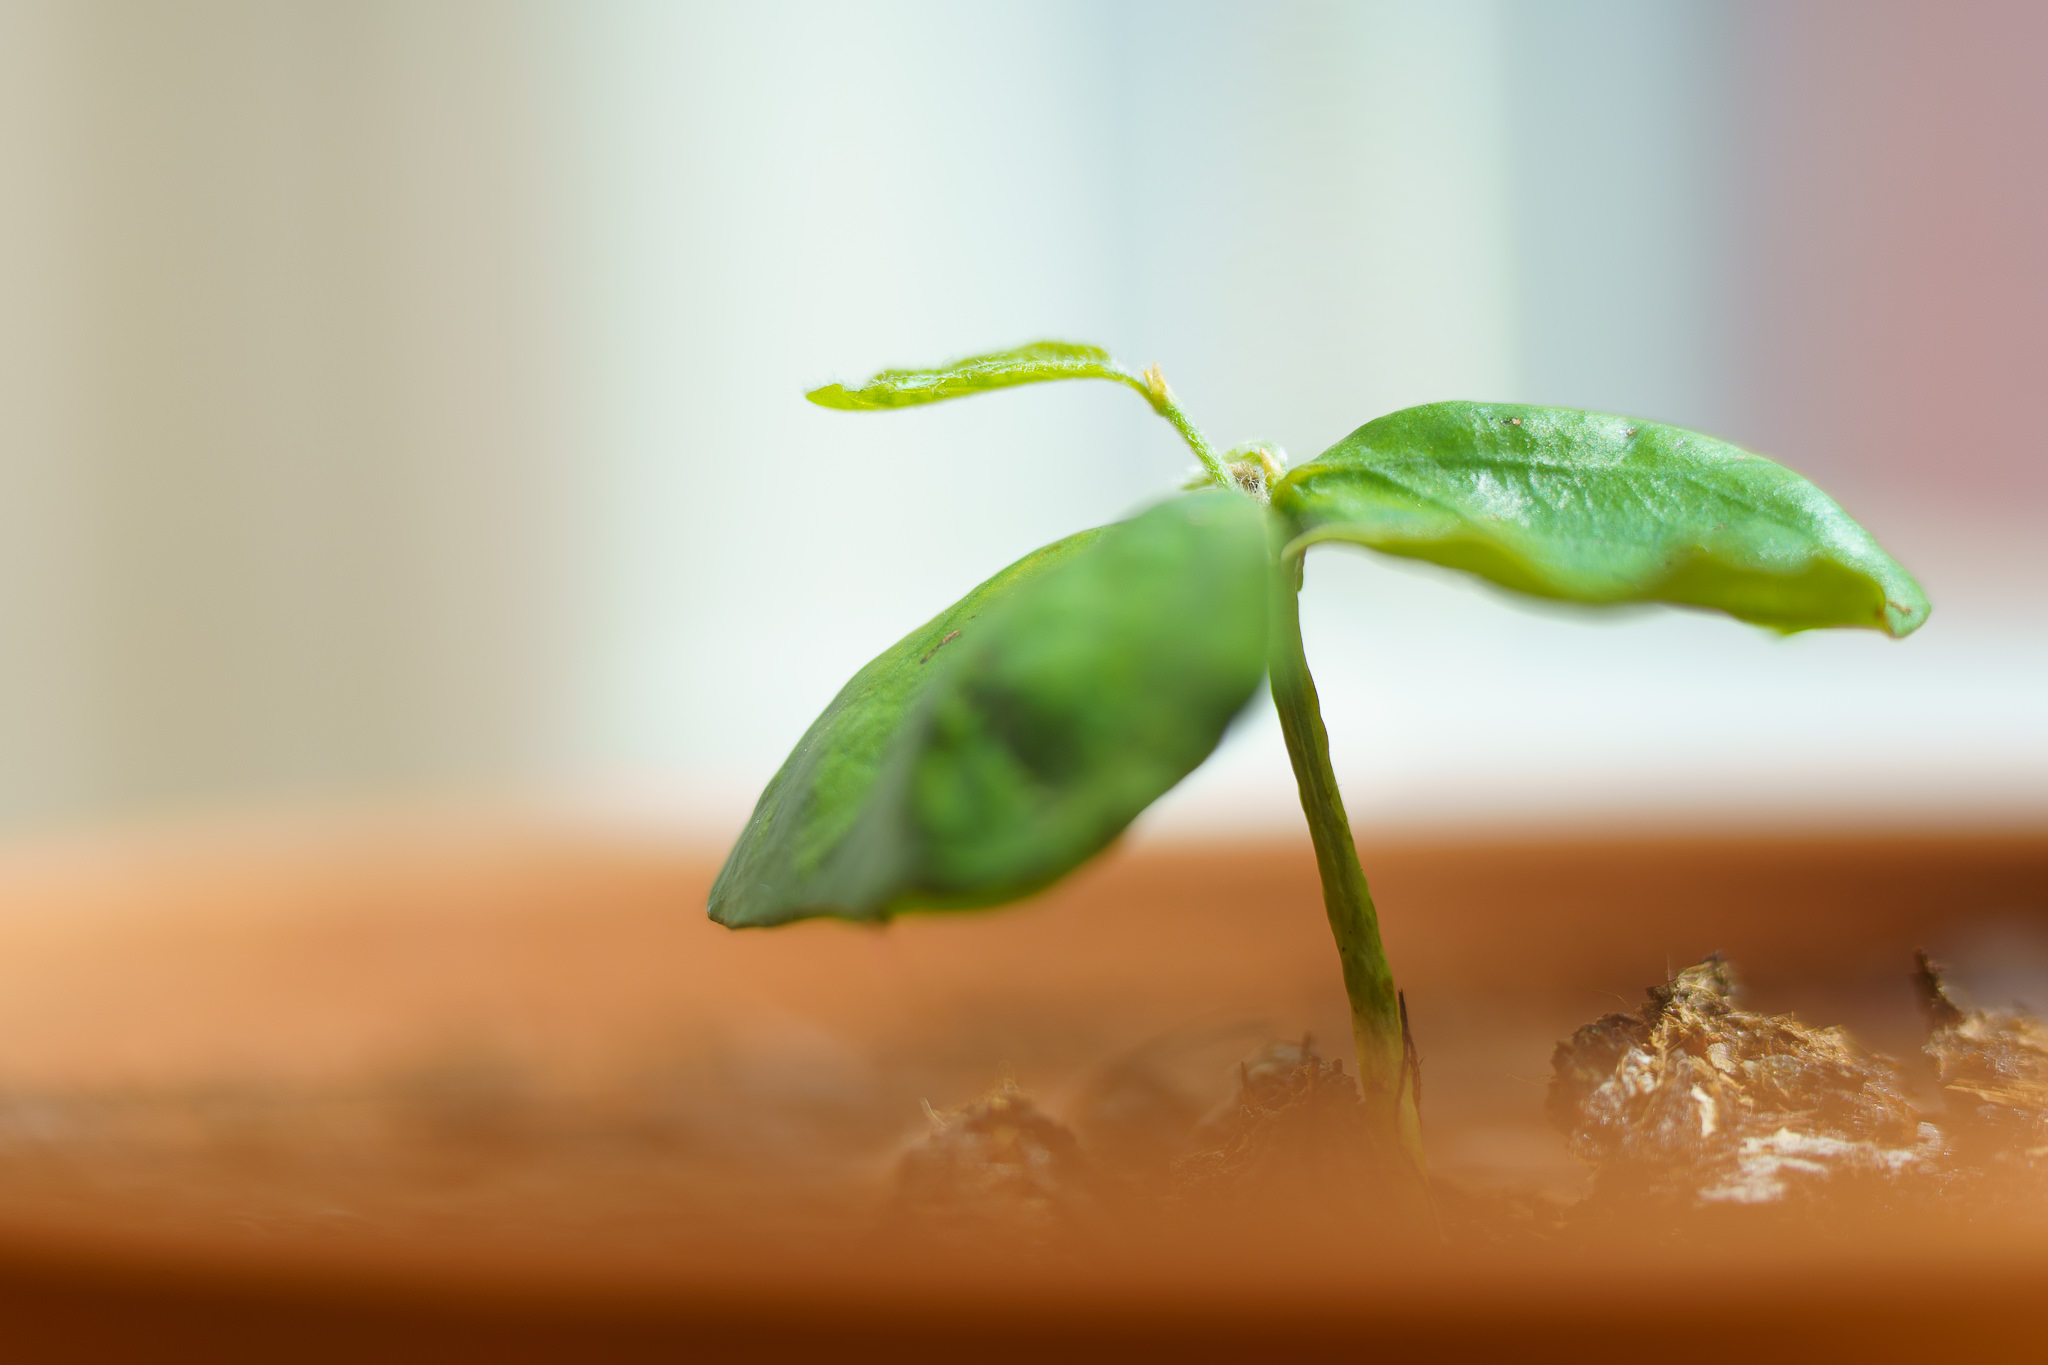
(1021, 732)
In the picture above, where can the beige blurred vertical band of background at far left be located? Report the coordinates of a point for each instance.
(286, 439)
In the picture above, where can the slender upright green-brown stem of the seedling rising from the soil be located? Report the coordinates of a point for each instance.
(1385, 1071)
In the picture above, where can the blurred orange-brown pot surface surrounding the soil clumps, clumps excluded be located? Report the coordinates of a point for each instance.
(505, 1094)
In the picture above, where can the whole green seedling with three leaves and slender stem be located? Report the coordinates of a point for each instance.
(1017, 734)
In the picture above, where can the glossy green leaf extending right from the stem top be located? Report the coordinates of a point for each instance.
(1598, 509)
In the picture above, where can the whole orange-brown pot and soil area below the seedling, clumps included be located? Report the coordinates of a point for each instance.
(499, 1067)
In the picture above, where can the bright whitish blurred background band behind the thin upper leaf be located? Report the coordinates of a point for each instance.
(1299, 212)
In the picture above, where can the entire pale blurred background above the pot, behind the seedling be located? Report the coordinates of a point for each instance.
(404, 402)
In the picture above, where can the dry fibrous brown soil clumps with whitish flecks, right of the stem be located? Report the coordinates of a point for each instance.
(1695, 1102)
